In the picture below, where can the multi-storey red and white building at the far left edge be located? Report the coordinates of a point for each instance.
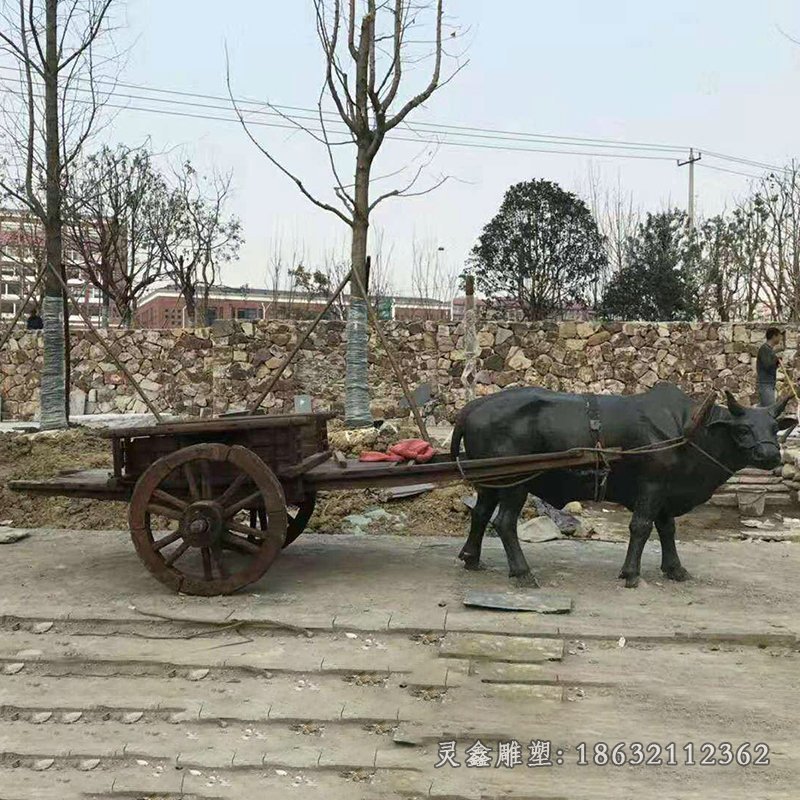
(22, 252)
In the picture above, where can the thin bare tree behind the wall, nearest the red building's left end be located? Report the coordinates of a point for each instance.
(195, 236)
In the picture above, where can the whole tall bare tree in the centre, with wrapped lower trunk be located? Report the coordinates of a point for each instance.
(370, 47)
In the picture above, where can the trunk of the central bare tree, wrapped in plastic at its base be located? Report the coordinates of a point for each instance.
(356, 397)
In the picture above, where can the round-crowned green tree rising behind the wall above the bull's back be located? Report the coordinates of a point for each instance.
(541, 251)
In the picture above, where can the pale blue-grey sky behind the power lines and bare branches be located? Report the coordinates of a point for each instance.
(716, 75)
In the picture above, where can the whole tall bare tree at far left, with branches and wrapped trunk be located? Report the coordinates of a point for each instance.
(49, 110)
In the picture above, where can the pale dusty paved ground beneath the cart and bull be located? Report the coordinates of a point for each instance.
(349, 669)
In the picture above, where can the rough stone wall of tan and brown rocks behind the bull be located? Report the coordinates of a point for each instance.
(213, 370)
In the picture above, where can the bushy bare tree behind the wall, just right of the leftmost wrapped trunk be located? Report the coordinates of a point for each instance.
(115, 199)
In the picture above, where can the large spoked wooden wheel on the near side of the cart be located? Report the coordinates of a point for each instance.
(210, 550)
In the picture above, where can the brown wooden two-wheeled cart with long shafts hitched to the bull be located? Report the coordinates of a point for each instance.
(213, 501)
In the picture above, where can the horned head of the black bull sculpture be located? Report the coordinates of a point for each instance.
(755, 430)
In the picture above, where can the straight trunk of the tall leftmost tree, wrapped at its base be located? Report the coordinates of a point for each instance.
(53, 377)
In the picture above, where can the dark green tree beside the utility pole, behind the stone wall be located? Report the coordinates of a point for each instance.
(658, 281)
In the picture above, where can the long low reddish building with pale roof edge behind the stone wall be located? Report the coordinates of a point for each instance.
(164, 307)
